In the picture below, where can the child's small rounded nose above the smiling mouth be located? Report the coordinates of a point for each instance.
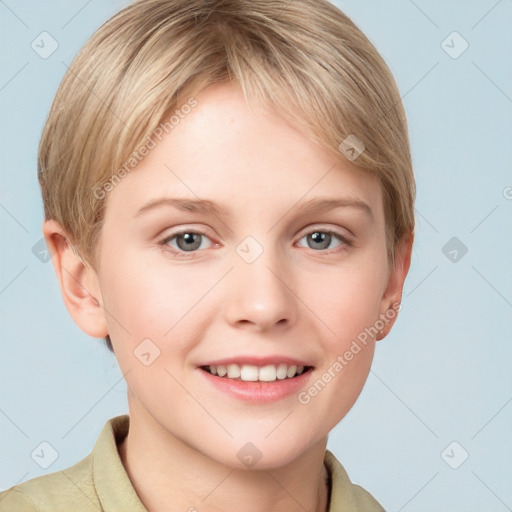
(259, 295)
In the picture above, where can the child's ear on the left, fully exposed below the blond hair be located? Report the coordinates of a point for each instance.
(79, 283)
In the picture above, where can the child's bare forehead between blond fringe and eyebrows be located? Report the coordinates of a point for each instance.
(225, 151)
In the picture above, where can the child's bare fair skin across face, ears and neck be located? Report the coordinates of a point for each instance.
(298, 299)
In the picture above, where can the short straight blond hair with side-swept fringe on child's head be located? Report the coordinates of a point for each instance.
(305, 58)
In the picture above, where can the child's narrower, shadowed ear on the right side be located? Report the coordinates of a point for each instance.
(392, 297)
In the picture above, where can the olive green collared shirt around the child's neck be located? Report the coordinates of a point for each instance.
(99, 482)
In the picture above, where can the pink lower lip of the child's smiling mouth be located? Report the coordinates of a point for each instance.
(258, 392)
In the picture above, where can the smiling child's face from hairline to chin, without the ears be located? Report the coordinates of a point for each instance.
(224, 252)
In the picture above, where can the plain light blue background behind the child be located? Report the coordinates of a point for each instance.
(442, 375)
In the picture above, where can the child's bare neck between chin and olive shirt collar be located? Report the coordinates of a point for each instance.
(170, 476)
